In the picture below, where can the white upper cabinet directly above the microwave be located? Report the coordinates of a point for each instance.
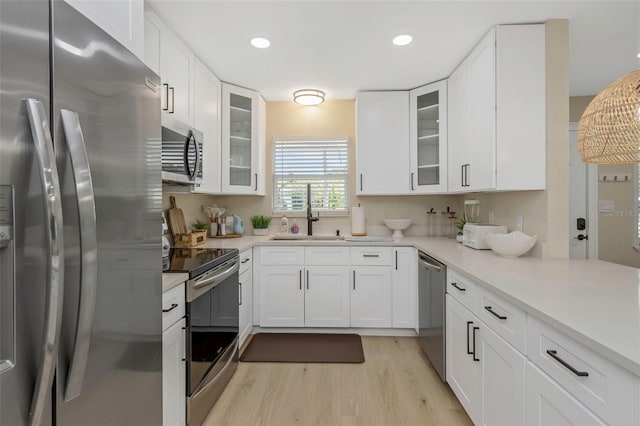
(175, 63)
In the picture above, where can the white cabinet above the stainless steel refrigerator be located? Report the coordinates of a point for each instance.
(123, 20)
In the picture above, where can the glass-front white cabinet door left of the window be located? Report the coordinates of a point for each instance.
(240, 140)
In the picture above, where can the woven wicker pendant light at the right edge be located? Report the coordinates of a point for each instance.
(609, 129)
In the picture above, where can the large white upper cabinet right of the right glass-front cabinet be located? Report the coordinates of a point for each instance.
(497, 131)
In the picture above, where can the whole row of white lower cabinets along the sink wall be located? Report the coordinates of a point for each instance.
(336, 286)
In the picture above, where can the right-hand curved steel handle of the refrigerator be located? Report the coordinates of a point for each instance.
(89, 252)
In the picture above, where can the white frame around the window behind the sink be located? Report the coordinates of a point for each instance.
(323, 212)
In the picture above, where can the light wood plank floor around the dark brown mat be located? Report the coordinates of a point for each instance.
(396, 385)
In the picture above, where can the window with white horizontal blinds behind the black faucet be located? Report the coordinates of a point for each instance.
(324, 164)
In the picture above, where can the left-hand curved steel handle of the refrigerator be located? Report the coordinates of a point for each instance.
(53, 225)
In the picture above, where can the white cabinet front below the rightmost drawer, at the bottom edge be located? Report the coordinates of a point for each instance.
(549, 404)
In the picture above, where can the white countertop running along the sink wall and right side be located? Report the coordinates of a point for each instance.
(595, 302)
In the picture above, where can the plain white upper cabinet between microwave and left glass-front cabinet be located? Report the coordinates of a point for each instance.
(208, 119)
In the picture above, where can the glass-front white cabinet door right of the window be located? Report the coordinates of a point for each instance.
(428, 138)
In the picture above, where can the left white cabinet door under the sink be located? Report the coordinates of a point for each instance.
(281, 296)
